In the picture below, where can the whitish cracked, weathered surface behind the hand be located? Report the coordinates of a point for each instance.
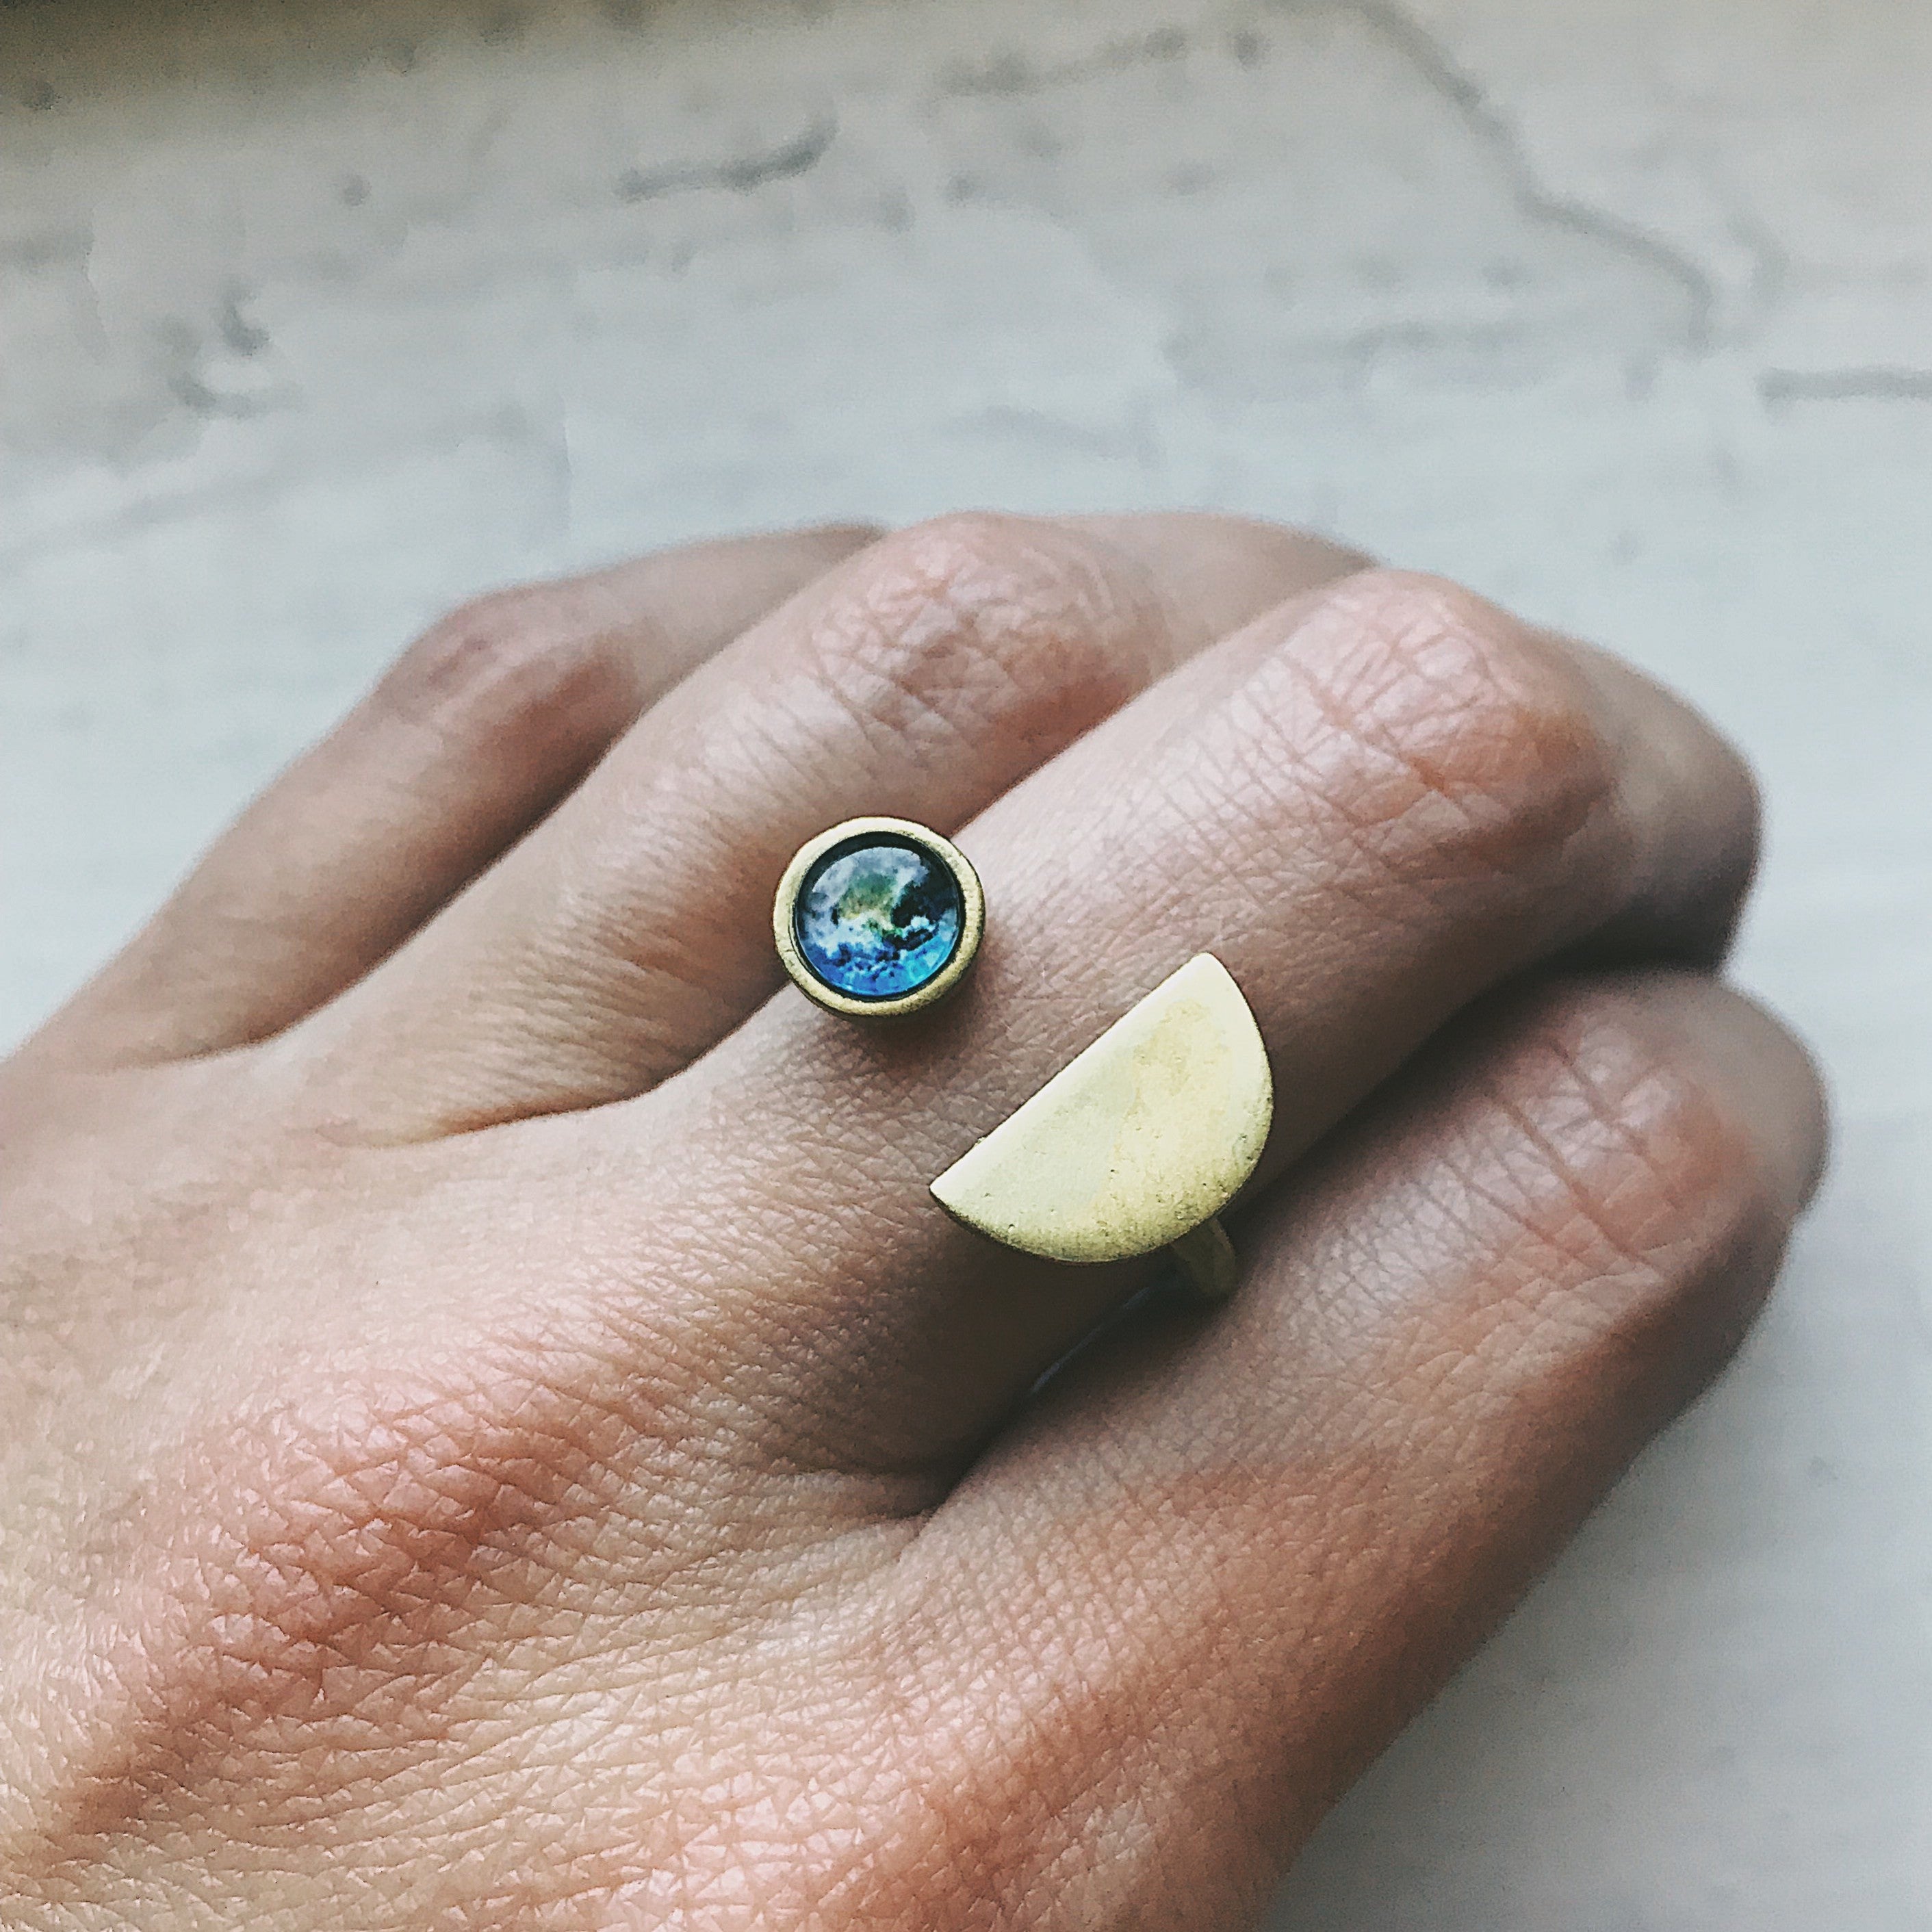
(320, 318)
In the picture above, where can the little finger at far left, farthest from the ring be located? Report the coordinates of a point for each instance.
(470, 739)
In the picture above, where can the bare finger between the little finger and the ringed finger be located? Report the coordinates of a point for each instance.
(921, 681)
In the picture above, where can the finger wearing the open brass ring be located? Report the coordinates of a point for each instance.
(1371, 810)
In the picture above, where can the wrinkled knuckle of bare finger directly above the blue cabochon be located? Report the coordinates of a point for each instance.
(980, 619)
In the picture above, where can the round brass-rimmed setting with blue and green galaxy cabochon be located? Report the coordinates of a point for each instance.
(878, 919)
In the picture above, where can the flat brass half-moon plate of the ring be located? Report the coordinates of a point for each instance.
(1139, 1141)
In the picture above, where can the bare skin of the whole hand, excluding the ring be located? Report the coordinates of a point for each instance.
(496, 1431)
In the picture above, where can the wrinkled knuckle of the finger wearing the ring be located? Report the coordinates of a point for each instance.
(1463, 743)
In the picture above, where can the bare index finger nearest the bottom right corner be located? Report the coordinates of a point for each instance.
(1230, 1556)
